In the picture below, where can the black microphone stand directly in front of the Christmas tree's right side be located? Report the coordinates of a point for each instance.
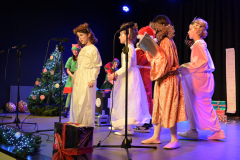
(61, 49)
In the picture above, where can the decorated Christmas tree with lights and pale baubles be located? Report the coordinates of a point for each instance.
(45, 97)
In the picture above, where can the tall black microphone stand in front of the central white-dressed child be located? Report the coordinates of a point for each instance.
(126, 143)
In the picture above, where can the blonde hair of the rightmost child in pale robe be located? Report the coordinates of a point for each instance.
(202, 27)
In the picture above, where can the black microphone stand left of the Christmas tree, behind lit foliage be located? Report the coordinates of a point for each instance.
(17, 121)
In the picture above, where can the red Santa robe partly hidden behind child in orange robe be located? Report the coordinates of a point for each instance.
(144, 68)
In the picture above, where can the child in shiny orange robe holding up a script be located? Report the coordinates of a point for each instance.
(168, 106)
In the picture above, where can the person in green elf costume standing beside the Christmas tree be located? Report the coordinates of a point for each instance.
(71, 66)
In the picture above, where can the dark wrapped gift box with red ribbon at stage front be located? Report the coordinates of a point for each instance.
(72, 142)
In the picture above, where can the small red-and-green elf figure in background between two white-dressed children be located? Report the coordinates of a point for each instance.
(110, 68)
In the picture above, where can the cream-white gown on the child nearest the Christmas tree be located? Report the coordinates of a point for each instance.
(83, 98)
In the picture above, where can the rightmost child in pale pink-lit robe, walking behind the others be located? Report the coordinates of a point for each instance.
(198, 85)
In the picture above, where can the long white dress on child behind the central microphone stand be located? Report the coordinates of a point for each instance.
(138, 113)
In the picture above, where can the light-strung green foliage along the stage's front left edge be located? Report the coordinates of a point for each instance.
(23, 144)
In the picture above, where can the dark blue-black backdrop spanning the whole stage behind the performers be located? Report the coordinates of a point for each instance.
(35, 22)
